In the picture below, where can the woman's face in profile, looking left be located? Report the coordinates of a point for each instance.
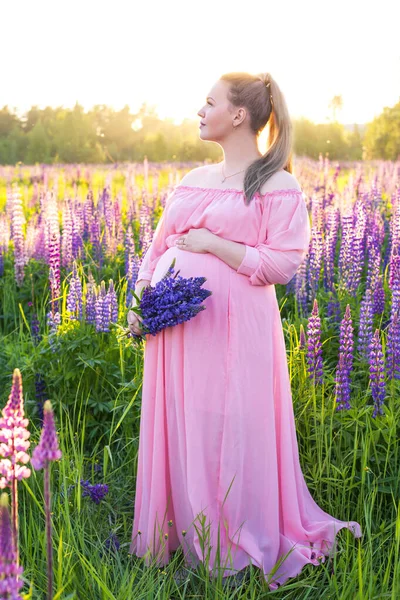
(215, 114)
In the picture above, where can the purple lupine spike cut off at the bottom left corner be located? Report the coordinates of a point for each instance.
(10, 572)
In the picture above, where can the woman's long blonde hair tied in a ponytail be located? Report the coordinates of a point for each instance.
(251, 92)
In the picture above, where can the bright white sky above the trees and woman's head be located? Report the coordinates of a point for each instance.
(170, 53)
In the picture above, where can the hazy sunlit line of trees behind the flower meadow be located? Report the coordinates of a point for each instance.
(104, 135)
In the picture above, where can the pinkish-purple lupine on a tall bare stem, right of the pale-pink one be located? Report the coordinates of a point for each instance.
(46, 451)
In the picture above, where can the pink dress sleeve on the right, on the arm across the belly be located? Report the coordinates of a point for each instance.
(284, 239)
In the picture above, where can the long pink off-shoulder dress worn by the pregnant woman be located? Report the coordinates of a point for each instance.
(218, 453)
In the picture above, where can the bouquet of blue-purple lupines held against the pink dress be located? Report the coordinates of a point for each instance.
(173, 300)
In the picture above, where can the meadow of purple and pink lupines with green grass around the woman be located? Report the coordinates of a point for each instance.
(71, 242)
